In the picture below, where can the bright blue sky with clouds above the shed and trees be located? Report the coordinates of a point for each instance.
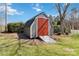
(21, 12)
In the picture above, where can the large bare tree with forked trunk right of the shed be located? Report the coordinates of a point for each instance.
(62, 9)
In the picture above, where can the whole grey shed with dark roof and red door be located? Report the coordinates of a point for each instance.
(38, 26)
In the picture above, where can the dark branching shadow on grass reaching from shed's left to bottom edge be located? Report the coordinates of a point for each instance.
(20, 36)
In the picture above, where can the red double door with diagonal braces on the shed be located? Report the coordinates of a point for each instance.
(42, 27)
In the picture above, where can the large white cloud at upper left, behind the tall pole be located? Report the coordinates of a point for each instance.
(10, 10)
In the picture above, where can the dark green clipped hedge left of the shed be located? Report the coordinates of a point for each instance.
(15, 27)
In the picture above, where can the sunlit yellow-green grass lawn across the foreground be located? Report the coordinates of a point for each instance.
(65, 46)
